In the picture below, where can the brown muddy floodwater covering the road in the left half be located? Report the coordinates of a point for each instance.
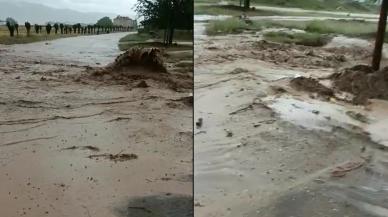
(87, 148)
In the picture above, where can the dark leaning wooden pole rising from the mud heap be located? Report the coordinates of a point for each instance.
(380, 36)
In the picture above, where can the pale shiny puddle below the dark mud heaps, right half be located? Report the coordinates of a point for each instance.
(319, 115)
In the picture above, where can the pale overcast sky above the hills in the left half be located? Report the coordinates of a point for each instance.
(119, 7)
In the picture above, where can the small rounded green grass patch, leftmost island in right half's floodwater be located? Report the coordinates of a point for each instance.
(227, 26)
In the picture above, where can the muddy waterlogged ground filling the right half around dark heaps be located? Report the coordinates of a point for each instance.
(265, 149)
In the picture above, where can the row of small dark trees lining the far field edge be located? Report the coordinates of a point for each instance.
(104, 25)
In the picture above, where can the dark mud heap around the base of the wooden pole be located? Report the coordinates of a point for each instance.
(363, 83)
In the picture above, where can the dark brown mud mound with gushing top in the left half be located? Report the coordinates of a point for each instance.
(140, 65)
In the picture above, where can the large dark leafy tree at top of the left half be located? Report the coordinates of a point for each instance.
(167, 15)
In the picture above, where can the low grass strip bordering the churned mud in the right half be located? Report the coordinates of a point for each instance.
(307, 39)
